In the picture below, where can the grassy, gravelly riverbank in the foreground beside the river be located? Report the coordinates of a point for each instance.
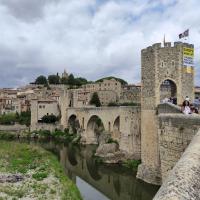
(30, 172)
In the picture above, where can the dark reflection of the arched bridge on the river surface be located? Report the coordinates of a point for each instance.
(115, 184)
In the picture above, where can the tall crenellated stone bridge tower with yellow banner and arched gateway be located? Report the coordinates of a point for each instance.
(166, 72)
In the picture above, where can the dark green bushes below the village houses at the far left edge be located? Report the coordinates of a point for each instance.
(9, 119)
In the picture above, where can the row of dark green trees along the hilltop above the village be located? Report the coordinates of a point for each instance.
(56, 79)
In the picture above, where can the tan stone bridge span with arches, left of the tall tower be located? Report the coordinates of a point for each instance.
(123, 123)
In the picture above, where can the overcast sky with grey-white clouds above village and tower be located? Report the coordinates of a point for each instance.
(89, 38)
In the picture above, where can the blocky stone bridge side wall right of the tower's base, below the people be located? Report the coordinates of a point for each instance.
(175, 132)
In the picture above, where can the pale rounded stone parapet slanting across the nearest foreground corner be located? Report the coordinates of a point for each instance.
(183, 181)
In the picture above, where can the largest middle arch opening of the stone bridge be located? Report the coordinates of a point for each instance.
(94, 127)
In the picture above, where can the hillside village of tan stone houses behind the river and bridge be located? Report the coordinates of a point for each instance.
(110, 92)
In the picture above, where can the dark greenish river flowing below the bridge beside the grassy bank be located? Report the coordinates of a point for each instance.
(99, 181)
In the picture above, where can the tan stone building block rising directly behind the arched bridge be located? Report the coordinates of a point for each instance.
(109, 91)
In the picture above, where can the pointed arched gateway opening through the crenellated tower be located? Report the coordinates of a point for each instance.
(168, 89)
